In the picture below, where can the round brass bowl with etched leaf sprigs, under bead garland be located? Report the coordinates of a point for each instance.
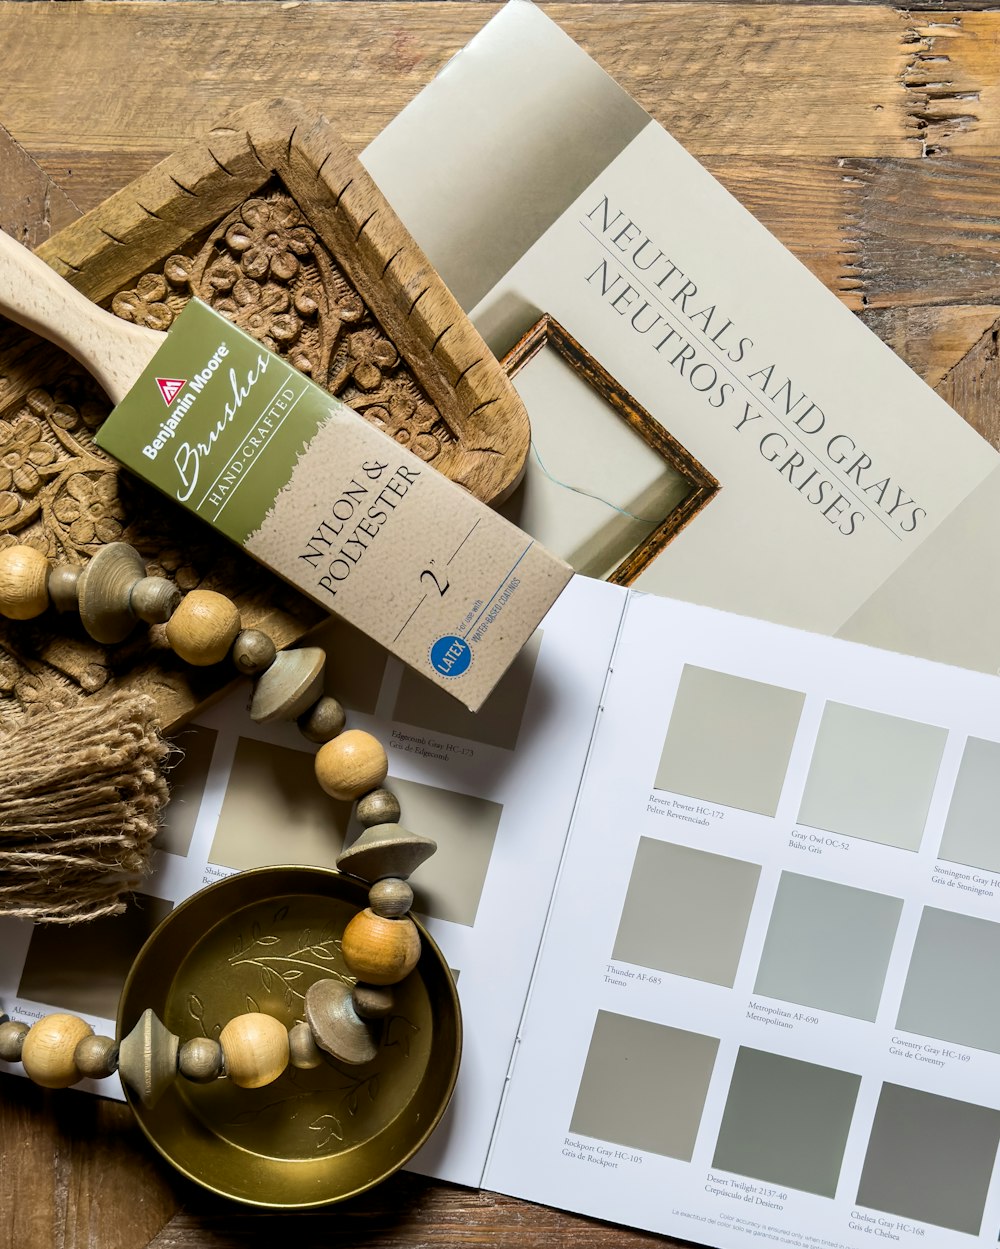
(255, 942)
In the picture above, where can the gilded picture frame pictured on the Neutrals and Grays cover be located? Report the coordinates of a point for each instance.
(692, 486)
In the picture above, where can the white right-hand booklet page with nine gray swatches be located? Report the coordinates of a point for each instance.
(765, 1010)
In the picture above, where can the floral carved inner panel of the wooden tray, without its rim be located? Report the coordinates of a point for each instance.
(265, 270)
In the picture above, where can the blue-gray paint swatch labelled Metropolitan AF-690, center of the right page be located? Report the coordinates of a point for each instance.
(828, 946)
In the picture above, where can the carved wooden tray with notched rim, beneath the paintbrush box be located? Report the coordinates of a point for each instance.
(274, 223)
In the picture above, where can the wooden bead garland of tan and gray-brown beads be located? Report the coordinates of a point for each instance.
(381, 945)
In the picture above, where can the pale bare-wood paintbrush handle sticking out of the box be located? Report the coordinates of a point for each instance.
(36, 297)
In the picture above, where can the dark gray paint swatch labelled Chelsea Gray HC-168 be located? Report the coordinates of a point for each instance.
(931, 1158)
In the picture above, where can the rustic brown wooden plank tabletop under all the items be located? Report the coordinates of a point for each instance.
(866, 138)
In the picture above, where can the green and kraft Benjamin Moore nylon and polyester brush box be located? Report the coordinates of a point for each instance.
(333, 505)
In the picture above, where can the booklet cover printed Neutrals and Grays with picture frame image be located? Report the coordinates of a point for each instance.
(853, 500)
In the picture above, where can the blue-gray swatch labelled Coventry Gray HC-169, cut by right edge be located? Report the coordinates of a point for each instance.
(949, 991)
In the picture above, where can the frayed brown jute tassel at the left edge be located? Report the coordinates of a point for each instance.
(81, 795)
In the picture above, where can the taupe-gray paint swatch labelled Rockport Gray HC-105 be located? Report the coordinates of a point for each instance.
(645, 1086)
